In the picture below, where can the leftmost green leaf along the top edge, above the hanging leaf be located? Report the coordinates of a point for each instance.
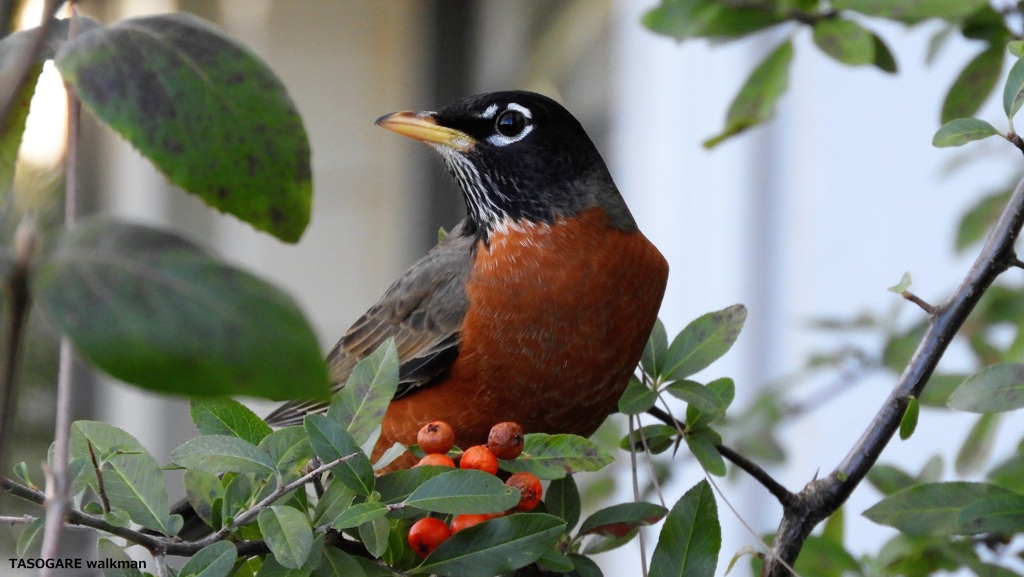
(707, 19)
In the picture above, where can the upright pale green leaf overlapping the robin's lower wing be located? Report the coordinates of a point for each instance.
(362, 403)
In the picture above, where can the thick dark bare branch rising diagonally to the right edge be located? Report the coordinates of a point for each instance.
(822, 498)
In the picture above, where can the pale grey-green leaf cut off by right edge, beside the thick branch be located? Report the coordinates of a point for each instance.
(993, 390)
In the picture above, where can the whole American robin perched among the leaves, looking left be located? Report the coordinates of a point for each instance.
(535, 309)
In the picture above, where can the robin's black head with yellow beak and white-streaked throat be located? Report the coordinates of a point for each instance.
(518, 156)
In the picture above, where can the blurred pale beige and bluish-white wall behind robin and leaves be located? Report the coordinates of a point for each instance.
(814, 216)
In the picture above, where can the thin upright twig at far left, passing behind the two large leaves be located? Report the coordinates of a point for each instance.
(57, 507)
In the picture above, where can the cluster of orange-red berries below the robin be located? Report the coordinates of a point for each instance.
(505, 442)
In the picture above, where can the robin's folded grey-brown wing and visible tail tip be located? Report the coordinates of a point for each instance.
(423, 311)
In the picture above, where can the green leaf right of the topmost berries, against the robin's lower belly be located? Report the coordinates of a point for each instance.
(554, 457)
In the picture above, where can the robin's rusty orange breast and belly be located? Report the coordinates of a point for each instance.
(559, 317)
